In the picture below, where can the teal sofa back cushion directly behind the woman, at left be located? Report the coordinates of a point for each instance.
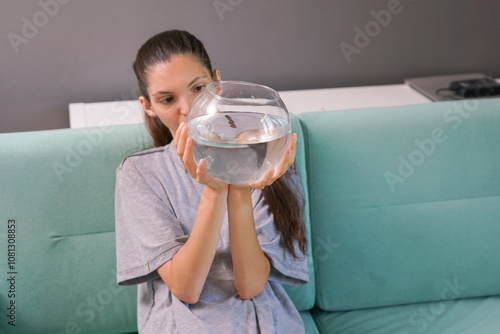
(57, 199)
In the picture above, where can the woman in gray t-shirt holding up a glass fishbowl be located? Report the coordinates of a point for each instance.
(208, 257)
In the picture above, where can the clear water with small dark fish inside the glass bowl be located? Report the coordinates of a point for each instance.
(239, 147)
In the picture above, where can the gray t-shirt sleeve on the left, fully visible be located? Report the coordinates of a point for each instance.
(148, 233)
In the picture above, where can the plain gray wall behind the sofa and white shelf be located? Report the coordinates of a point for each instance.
(53, 52)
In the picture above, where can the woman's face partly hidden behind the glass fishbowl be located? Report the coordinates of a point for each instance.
(172, 88)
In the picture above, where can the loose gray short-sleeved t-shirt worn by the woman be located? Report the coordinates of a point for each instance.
(156, 203)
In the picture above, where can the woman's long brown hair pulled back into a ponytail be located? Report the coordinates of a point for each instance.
(282, 201)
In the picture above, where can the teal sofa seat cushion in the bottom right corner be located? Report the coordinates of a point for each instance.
(474, 315)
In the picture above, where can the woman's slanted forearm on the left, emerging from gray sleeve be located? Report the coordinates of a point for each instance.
(185, 274)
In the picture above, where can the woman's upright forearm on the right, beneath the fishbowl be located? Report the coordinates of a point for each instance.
(251, 266)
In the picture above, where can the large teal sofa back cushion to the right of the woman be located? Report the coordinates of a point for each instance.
(406, 201)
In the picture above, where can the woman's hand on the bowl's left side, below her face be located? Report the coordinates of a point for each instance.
(184, 146)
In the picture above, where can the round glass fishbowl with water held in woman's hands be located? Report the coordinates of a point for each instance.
(241, 129)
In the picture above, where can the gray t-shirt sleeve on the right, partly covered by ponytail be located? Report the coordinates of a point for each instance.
(285, 268)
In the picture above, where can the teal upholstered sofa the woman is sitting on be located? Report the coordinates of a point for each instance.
(402, 213)
